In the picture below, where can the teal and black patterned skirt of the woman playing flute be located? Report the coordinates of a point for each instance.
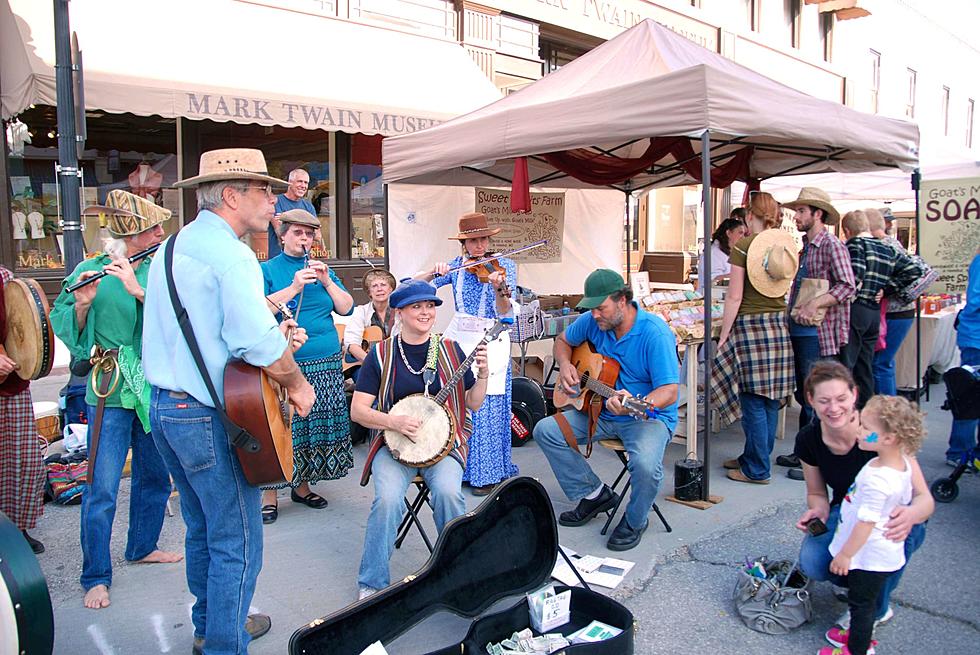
(322, 448)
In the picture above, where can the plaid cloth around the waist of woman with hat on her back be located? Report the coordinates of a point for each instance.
(757, 358)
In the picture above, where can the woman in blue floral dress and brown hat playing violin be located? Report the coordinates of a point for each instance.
(483, 293)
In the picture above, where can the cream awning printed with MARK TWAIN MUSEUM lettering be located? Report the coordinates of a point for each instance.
(228, 60)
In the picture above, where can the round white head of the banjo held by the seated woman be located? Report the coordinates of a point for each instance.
(434, 439)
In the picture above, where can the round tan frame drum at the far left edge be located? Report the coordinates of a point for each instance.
(30, 340)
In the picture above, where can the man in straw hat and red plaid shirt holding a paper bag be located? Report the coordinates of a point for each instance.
(824, 257)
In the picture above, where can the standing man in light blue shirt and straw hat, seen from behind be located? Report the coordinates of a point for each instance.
(219, 283)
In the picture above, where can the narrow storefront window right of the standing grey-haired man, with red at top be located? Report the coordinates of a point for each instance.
(367, 197)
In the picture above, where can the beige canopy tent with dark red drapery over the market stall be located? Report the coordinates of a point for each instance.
(617, 101)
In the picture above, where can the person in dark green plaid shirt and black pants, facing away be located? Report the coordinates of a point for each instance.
(874, 263)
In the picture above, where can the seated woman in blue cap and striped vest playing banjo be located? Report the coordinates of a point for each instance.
(414, 369)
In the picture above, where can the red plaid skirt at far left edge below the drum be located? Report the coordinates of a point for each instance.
(21, 466)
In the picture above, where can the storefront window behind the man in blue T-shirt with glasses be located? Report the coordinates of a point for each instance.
(285, 150)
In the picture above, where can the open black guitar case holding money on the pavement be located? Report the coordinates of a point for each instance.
(507, 546)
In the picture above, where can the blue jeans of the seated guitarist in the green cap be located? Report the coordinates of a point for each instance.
(644, 441)
